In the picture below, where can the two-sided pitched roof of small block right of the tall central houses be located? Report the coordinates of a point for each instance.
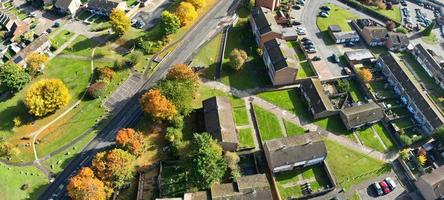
(315, 92)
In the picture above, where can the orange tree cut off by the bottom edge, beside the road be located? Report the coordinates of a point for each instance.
(85, 186)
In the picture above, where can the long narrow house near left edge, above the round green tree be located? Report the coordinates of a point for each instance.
(40, 45)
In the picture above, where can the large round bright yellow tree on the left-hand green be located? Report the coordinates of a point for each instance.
(46, 96)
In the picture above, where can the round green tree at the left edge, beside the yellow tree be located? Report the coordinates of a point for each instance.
(13, 77)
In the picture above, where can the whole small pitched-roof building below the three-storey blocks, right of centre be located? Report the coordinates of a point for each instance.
(318, 102)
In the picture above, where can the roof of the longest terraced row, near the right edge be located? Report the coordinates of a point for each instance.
(413, 89)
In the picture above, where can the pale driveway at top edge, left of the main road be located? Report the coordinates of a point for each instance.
(150, 14)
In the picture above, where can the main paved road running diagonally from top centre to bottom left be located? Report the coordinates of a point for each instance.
(129, 115)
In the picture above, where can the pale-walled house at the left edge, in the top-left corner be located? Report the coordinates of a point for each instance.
(12, 24)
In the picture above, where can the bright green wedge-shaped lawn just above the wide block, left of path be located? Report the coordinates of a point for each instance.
(269, 127)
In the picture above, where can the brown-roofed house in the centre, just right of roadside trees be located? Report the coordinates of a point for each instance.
(219, 121)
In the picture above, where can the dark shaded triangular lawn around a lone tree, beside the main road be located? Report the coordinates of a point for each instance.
(254, 73)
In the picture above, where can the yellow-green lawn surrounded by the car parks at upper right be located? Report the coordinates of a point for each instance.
(338, 16)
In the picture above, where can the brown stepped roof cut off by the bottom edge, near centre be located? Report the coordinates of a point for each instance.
(252, 187)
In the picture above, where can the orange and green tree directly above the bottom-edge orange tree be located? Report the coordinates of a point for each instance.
(114, 168)
